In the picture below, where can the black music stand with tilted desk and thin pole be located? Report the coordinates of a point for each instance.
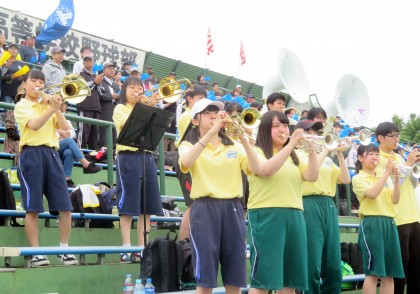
(144, 129)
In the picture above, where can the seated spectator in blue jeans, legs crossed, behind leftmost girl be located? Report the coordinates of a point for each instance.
(69, 151)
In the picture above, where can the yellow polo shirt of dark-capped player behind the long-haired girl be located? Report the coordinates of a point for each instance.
(327, 180)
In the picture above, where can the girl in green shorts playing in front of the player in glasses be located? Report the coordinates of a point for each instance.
(378, 235)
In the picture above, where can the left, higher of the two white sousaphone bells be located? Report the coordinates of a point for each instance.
(291, 78)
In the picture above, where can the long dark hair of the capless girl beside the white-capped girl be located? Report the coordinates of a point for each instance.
(264, 139)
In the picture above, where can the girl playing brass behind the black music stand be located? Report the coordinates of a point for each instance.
(129, 166)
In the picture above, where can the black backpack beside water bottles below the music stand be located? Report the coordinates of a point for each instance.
(162, 261)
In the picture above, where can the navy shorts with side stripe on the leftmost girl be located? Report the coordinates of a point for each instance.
(40, 171)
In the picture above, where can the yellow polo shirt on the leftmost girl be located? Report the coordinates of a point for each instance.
(26, 110)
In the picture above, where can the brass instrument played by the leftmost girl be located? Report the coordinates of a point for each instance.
(73, 89)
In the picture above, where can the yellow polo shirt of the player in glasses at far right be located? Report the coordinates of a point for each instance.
(407, 207)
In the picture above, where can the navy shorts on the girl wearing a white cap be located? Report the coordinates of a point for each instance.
(218, 234)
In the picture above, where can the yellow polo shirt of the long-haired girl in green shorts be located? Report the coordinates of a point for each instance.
(283, 189)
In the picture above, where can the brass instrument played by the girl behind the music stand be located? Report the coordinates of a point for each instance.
(171, 90)
